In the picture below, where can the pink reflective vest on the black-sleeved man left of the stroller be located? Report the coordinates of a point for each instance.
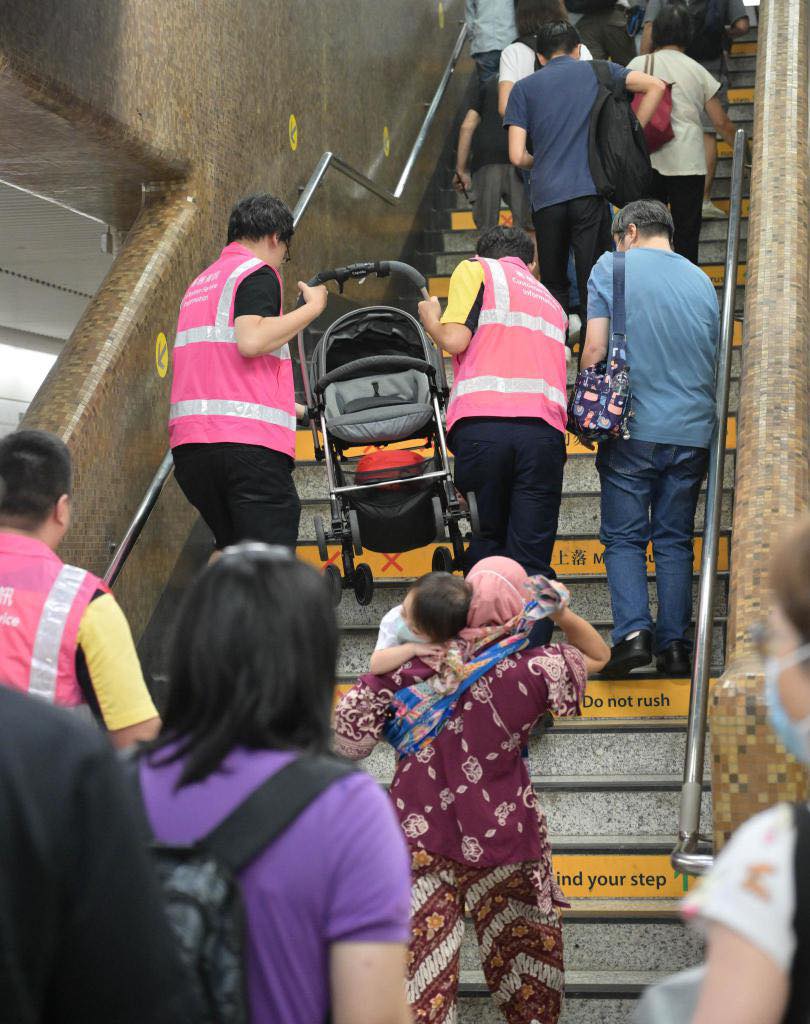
(218, 395)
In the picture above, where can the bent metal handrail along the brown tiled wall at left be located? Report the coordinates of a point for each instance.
(329, 159)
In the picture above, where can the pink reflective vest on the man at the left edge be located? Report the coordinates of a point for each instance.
(42, 602)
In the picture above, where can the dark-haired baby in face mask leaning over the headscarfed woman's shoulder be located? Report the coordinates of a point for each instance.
(435, 611)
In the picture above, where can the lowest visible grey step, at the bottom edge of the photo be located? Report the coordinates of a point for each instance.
(591, 998)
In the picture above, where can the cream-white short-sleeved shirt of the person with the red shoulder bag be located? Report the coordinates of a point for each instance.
(693, 88)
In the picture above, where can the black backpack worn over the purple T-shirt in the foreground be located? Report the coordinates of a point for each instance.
(201, 890)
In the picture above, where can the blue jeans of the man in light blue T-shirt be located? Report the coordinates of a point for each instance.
(650, 493)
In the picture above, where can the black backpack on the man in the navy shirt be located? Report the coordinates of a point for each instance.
(617, 150)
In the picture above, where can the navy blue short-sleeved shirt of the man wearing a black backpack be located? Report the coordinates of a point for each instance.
(555, 107)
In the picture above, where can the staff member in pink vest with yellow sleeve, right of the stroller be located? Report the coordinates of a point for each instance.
(507, 410)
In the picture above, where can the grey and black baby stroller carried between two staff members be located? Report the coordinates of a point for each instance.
(376, 380)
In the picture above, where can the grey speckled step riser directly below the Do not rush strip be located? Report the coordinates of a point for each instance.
(646, 750)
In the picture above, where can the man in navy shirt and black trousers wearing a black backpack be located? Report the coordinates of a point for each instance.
(553, 108)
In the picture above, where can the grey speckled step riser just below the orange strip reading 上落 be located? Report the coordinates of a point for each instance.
(589, 600)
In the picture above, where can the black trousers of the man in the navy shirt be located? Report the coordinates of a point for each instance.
(582, 225)
